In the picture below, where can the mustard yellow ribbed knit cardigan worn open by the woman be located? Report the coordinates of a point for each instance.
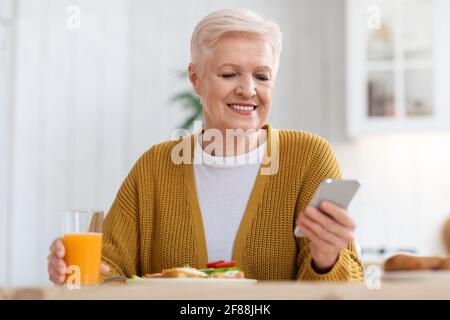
(155, 221)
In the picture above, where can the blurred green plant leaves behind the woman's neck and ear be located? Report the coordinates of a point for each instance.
(190, 102)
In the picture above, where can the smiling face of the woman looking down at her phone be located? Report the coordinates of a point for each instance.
(235, 86)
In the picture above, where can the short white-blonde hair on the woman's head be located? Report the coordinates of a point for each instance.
(219, 23)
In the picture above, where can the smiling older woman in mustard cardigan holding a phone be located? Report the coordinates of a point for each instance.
(186, 202)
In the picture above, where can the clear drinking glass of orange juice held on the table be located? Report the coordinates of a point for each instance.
(83, 245)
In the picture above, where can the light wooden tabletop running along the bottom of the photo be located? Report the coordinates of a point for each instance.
(420, 289)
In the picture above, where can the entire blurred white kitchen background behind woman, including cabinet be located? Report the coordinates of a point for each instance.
(86, 88)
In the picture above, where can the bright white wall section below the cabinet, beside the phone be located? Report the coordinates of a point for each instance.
(405, 194)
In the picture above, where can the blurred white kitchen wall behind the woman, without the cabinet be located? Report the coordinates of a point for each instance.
(86, 103)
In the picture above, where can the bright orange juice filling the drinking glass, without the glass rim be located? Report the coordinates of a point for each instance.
(84, 250)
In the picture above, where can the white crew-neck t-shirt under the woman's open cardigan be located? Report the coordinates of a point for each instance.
(223, 187)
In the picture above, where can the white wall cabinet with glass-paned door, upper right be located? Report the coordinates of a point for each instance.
(398, 70)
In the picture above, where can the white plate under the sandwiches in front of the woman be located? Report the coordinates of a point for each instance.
(213, 281)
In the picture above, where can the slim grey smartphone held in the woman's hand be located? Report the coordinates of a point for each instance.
(340, 192)
